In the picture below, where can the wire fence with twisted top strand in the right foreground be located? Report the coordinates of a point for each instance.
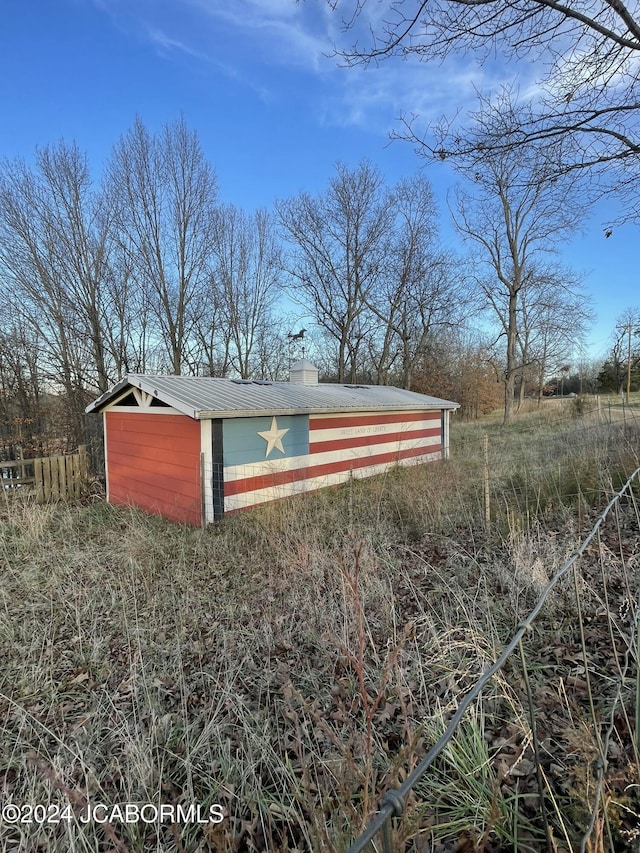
(602, 581)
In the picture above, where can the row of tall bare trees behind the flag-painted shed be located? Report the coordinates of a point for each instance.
(145, 270)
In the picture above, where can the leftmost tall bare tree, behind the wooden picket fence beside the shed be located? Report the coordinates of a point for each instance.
(54, 254)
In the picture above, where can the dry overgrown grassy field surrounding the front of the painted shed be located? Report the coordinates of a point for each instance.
(282, 669)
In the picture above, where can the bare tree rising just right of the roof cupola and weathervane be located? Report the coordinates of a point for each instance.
(338, 256)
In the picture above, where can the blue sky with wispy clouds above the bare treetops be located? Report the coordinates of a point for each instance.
(274, 112)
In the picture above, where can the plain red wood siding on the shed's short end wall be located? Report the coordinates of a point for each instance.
(153, 462)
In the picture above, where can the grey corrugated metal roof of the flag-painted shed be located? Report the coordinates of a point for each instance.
(205, 397)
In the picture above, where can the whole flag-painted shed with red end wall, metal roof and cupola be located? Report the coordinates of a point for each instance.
(195, 448)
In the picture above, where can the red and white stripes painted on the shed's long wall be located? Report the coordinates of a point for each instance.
(340, 446)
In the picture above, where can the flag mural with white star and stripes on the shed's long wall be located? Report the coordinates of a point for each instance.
(267, 458)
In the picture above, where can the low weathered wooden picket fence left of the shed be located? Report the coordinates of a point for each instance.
(51, 478)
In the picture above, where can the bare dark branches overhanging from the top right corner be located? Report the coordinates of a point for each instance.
(590, 90)
